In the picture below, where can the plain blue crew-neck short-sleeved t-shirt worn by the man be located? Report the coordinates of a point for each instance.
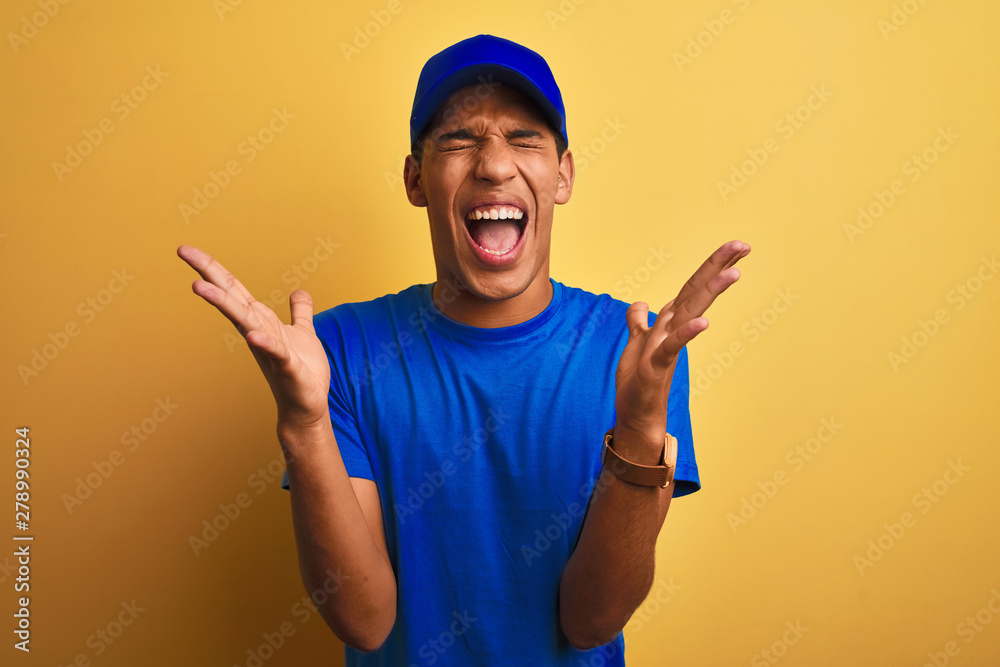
(485, 445)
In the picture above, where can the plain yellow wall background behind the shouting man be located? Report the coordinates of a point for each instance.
(333, 172)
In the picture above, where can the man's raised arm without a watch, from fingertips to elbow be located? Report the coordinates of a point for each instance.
(337, 519)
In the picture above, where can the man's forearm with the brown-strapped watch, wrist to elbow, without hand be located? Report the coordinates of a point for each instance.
(610, 572)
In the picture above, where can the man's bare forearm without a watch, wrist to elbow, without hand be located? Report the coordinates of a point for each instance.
(335, 545)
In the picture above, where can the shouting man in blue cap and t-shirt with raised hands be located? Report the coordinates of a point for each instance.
(454, 471)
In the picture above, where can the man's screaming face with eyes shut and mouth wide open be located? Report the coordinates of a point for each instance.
(488, 157)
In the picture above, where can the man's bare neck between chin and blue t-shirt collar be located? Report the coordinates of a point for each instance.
(461, 305)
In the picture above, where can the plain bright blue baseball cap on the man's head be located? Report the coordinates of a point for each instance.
(483, 59)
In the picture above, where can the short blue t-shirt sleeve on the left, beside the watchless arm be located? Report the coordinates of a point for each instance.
(340, 347)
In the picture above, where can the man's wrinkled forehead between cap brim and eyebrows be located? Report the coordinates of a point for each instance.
(473, 107)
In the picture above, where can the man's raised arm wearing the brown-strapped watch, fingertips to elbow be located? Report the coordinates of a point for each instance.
(611, 570)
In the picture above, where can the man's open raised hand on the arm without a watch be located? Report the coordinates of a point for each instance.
(290, 355)
